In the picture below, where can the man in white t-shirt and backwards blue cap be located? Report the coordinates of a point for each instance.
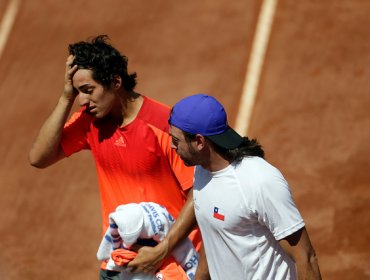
(250, 225)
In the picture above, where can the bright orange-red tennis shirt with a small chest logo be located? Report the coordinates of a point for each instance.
(135, 163)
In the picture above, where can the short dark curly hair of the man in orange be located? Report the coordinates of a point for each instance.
(104, 60)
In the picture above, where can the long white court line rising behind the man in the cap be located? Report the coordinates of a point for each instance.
(256, 60)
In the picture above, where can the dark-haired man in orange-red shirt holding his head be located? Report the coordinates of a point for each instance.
(126, 132)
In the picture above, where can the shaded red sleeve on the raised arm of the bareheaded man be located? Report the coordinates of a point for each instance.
(74, 137)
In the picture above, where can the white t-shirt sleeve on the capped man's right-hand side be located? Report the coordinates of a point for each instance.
(276, 208)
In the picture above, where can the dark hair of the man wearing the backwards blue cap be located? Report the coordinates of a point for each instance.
(247, 148)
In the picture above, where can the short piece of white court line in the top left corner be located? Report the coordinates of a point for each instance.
(7, 22)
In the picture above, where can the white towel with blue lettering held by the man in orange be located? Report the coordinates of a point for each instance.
(144, 220)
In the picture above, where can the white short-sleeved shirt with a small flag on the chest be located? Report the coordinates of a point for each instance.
(242, 211)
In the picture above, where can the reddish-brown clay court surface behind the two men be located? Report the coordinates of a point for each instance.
(311, 114)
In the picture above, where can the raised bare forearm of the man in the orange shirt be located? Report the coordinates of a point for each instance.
(46, 147)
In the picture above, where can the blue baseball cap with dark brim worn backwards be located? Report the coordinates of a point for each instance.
(203, 114)
